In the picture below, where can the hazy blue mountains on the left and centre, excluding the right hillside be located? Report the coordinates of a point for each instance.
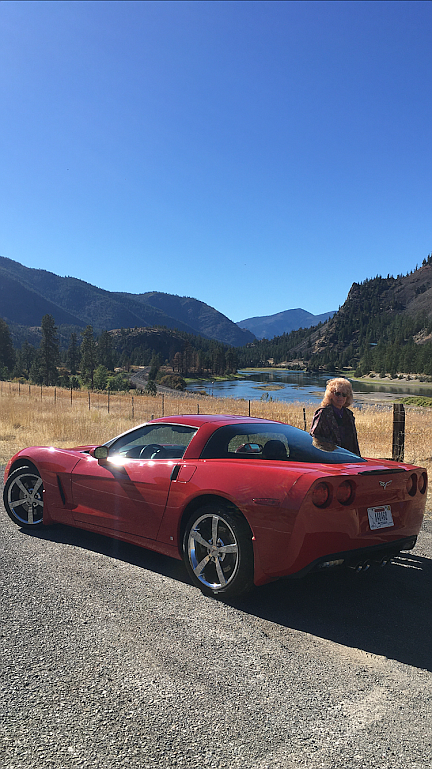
(27, 294)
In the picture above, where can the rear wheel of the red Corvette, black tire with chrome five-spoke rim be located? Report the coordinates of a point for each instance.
(218, 552)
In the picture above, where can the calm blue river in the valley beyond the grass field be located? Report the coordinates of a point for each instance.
(286, 385)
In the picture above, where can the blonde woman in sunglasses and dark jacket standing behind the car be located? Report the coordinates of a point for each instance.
(333, 421)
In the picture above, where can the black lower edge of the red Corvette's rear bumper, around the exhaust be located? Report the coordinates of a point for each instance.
(357, 558)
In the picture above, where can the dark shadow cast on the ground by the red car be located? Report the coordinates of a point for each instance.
(385, 611)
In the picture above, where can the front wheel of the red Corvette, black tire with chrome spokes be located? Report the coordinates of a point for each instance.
(23, 496)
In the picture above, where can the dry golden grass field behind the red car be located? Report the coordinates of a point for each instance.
(29, 417)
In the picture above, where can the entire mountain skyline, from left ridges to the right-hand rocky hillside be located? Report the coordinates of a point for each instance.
(385, 324)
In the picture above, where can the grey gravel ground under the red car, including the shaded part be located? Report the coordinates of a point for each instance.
(110, 658)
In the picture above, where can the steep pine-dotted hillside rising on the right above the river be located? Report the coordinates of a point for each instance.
(385, 325)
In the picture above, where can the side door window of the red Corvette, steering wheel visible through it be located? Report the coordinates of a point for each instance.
(161, 441)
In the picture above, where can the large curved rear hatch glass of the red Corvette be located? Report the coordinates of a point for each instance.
(273, 441)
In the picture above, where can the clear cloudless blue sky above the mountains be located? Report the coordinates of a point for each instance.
(259, 156)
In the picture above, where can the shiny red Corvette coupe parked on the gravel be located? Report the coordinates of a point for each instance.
(240, 500)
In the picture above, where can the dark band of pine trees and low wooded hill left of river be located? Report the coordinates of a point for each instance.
(92, 359)
